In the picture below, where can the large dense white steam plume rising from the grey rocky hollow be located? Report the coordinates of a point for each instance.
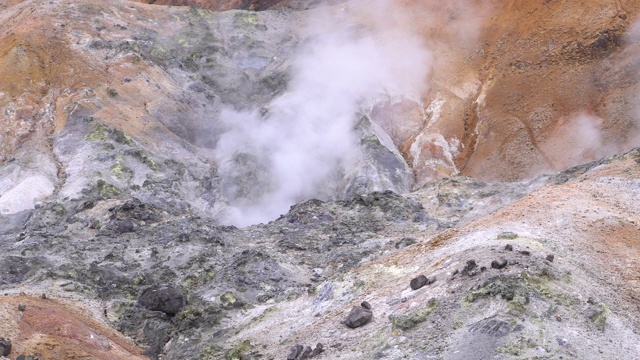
(301, 145)
